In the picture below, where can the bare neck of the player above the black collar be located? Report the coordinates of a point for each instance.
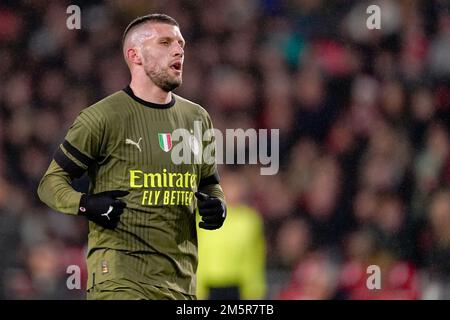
(145, 89)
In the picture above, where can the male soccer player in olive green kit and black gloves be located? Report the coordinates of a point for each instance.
(142, 241)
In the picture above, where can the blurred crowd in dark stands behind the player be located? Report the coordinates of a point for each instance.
(364, 136)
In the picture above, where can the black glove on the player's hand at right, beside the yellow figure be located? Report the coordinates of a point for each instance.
(212, 210)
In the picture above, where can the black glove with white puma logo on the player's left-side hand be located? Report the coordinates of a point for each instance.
(103, 208)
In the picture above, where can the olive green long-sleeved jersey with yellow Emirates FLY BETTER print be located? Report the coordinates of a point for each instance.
(125, 143)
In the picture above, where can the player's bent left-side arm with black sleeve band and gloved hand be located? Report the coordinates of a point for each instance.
(71, 160)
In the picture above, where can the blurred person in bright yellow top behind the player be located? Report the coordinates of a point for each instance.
(232, 259)
